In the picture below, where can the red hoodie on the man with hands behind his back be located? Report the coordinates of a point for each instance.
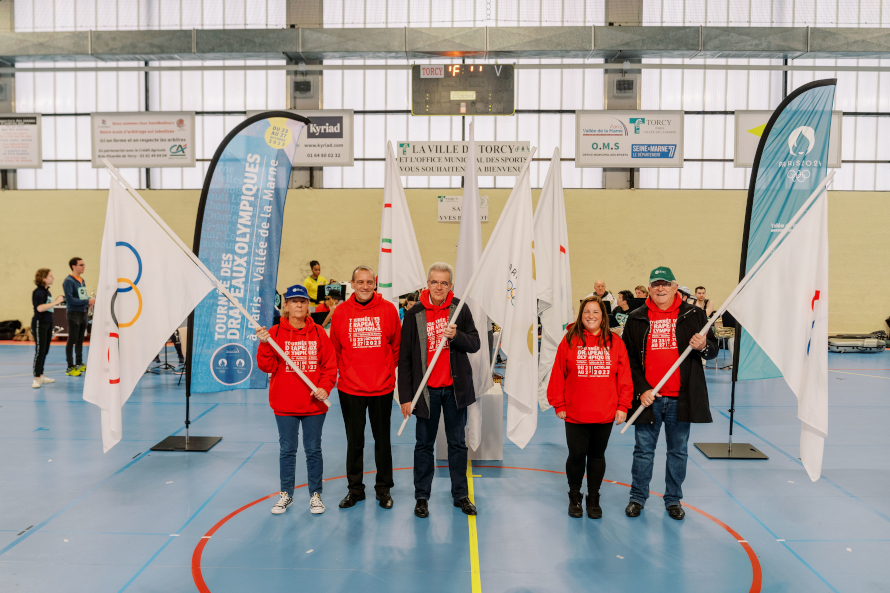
(366, 339)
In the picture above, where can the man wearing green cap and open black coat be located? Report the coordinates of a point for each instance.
(655, 335)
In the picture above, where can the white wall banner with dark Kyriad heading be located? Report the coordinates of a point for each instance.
(327, 140)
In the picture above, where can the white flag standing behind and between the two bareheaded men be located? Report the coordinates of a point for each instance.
(400, 268)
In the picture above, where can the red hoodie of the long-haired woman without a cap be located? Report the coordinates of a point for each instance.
(590, 383)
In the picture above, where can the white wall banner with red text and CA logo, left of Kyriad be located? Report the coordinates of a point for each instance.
(144, 139)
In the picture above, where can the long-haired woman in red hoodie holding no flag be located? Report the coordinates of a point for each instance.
(590, 387)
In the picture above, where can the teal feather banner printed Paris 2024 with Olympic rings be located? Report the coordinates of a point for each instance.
(791, 161)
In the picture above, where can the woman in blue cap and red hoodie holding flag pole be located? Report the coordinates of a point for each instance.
(294, 404)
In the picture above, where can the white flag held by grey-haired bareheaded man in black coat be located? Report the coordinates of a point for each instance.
(505, 287)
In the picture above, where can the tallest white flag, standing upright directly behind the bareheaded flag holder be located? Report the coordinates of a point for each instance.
(469, 251)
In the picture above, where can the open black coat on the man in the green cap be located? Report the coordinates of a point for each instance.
(692, 401)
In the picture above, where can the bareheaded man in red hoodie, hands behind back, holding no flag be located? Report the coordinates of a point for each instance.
(365, 331)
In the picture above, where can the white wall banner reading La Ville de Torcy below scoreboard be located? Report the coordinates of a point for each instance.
(429, 159)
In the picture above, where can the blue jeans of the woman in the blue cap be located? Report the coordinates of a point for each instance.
(288, 437)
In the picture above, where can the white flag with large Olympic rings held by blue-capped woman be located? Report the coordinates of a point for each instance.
(146, 287)
